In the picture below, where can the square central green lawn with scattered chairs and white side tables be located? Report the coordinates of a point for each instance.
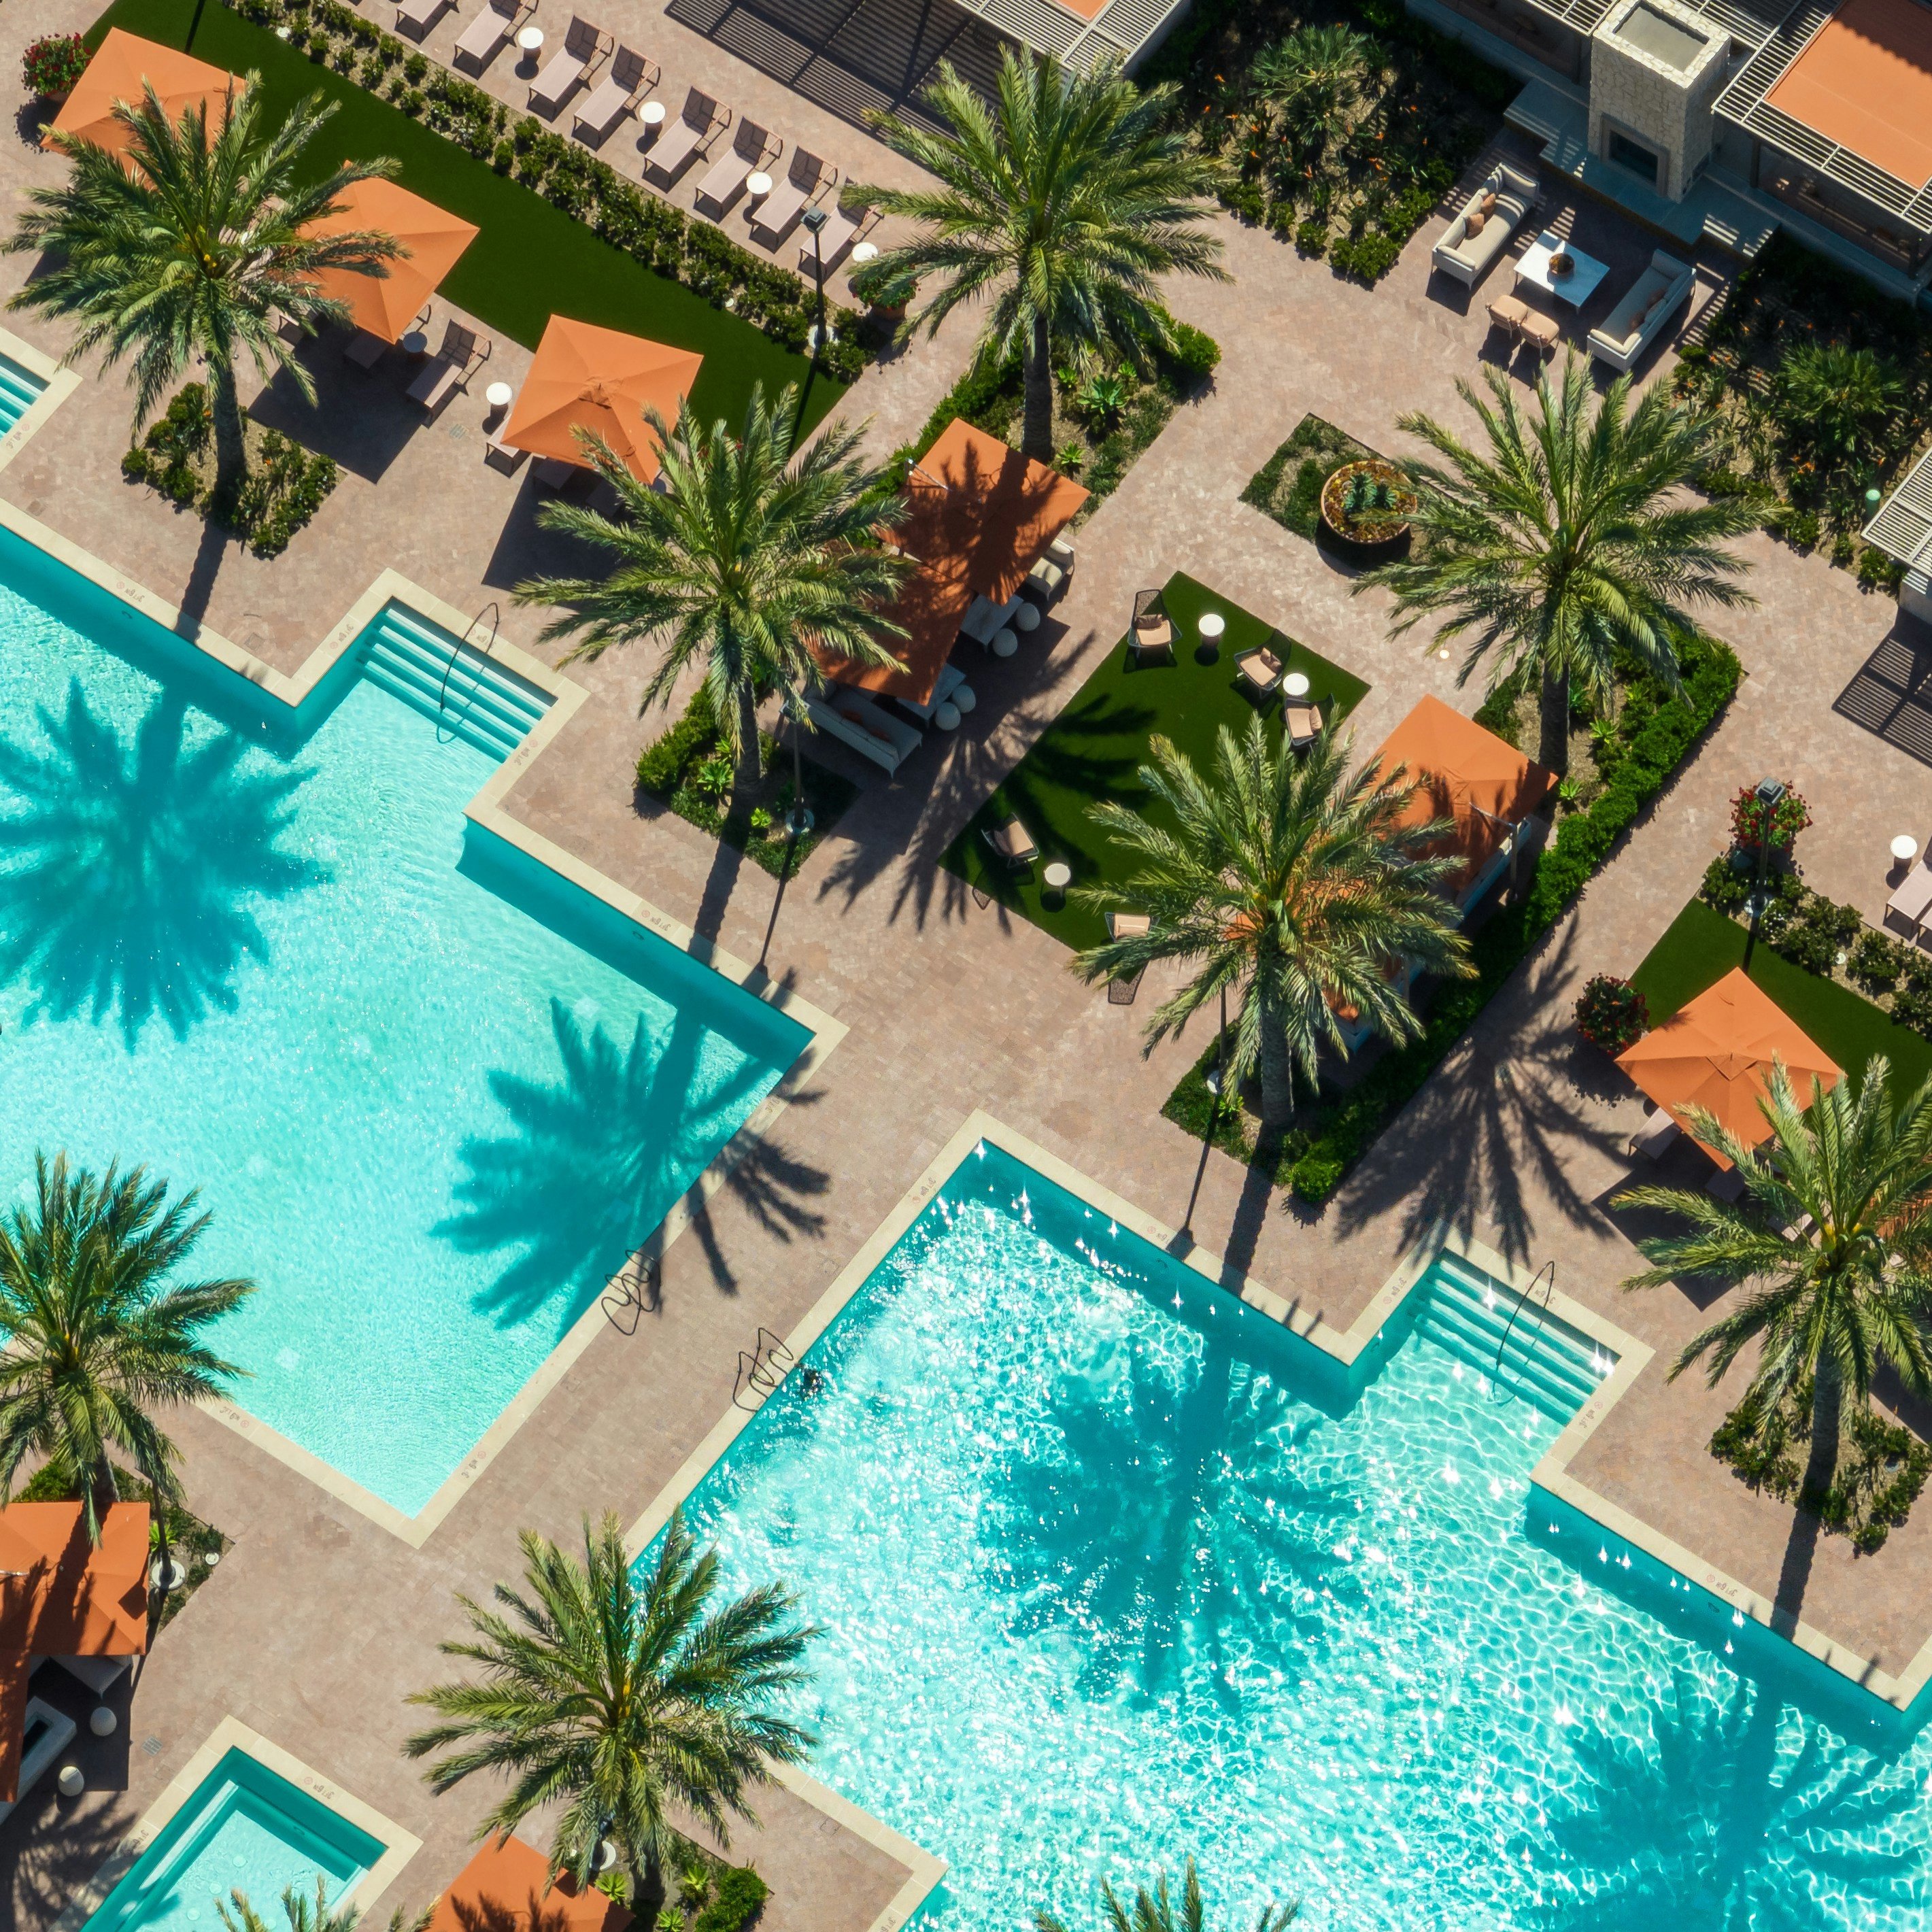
(1098, 745)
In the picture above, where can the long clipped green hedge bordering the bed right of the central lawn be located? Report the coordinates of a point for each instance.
(1348, 1127)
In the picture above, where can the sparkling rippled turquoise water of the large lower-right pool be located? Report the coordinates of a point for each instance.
(1112, 1572)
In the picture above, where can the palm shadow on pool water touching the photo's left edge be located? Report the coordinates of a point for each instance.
(132, 868)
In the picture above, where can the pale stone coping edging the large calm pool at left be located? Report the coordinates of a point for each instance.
(488, 810)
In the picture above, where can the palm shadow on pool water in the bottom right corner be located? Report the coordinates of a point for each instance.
(1738, 1815)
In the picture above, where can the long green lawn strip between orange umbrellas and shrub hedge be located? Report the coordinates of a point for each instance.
(530, 258)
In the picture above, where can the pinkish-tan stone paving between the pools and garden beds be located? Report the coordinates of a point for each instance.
(320, 1624)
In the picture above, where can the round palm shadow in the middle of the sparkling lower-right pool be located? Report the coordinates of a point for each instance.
(1176, 1533)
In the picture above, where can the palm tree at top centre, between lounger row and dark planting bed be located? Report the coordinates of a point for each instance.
(1064, 204)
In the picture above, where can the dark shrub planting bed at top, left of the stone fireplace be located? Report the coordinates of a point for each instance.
(1357, 198)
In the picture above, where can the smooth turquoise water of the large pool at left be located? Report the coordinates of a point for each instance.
(432, 1094)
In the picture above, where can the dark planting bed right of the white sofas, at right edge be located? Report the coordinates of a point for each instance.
(1751, 366)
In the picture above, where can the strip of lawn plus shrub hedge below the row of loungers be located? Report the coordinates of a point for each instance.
(590, 246)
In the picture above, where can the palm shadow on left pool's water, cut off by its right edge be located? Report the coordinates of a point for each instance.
(594, 1158)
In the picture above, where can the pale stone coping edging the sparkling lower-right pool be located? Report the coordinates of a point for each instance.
(1346, 1348)
